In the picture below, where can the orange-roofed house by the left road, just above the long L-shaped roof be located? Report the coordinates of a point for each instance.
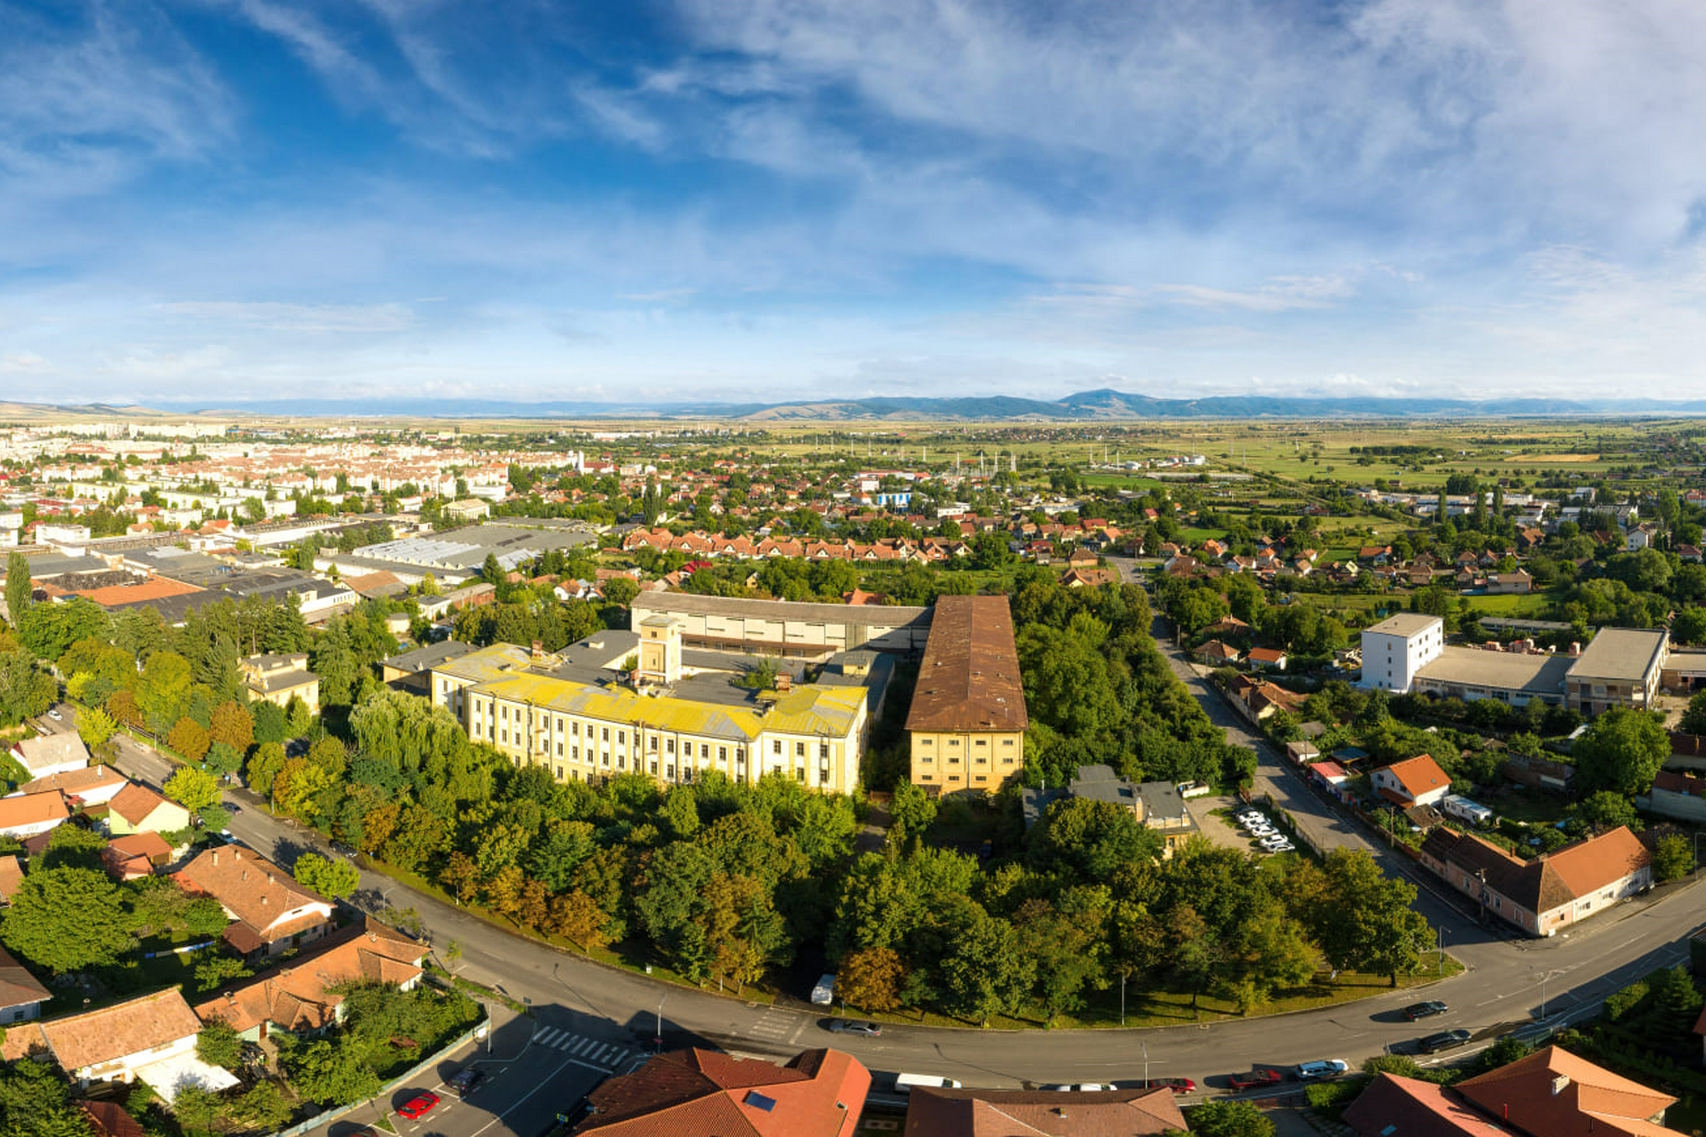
(270, 913)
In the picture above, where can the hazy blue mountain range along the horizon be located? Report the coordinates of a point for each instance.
(1084, 407)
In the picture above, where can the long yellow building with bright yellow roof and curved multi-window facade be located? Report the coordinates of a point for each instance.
(591, 732)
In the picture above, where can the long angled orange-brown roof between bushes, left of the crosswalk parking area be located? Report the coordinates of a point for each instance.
(298, 996)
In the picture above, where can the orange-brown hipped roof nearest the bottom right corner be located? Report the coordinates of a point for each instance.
(1553, 1093)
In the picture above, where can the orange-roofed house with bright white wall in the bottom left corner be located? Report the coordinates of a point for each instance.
(148, 1039)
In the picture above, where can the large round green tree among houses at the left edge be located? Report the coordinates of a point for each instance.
(67, 919)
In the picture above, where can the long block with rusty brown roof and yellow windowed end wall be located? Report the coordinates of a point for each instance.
(968, 720)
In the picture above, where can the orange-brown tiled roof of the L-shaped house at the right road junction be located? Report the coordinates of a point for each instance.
(1548, 882)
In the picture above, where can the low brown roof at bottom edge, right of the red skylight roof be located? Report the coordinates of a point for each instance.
(1042, 1114)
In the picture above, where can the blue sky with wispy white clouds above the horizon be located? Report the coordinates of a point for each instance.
(224, 201)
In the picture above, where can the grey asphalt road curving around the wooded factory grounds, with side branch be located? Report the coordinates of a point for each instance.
(1502, 988)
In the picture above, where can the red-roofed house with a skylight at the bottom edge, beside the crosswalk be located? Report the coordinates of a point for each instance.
(702, 1093)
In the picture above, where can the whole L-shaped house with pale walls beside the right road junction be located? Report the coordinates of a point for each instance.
(1550, 892)
